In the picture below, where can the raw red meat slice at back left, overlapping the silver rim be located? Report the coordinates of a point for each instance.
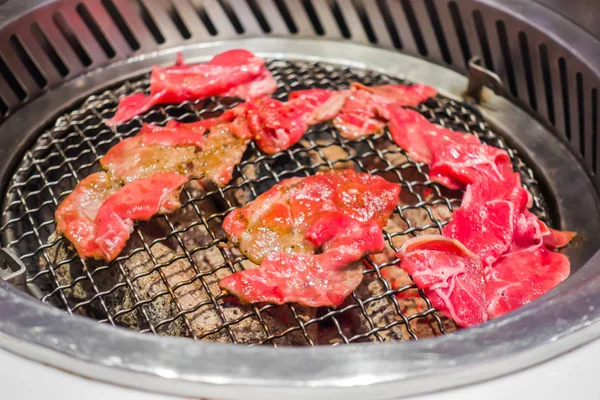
(235, 72)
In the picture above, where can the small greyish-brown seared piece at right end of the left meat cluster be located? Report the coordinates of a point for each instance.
(221, 153)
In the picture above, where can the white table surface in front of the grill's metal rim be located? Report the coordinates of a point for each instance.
(571, 375)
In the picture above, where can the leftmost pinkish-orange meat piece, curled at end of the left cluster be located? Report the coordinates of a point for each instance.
(76, 214)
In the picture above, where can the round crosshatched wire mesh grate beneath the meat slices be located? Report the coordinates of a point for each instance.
(165, 281)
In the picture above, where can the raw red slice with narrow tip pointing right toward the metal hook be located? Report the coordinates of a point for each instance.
(367, 108)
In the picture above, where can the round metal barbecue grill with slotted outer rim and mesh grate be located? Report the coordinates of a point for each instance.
(522, 76)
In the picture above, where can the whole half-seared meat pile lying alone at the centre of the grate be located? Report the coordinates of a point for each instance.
(341, 213)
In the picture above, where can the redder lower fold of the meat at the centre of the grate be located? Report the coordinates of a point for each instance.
(314, 280)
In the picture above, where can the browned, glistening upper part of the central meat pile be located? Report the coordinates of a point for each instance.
(278, 219)
